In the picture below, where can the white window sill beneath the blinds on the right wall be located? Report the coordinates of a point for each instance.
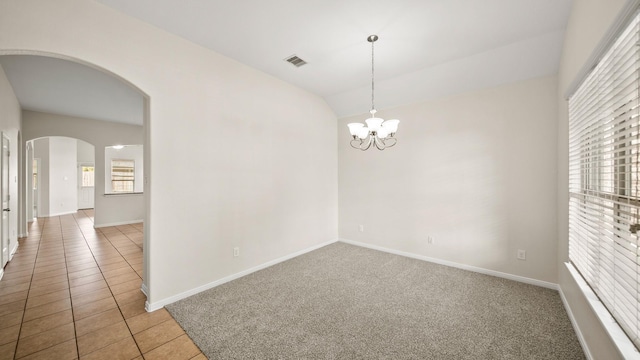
(617, 335)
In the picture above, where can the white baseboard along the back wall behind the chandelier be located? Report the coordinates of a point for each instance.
(484, 271)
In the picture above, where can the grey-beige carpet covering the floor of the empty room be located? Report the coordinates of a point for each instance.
(347, 302)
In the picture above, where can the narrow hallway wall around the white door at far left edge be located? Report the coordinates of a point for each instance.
(10, 119)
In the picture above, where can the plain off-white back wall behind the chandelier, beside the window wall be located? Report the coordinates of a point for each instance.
(475, 171)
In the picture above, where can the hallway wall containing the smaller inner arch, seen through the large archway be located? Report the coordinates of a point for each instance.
(109, 210)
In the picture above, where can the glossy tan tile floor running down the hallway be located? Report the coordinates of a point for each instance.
(73, 292)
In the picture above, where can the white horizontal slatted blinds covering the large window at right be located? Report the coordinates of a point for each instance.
(603, 180)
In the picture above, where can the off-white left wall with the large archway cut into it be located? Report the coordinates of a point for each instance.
(262, 152)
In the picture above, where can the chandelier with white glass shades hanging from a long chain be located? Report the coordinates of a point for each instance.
(377, 132)
